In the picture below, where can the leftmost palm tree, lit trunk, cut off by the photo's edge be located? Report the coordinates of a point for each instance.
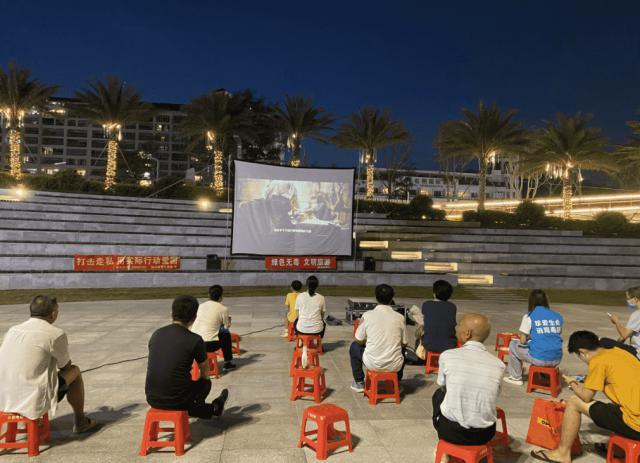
(18, 96)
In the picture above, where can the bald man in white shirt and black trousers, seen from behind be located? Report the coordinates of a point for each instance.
(464, 407)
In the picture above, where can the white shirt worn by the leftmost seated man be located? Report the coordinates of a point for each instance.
(30, 356)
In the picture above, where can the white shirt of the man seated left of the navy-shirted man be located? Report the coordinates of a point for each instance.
(384, 331)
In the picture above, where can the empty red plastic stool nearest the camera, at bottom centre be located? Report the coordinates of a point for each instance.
(328, 438)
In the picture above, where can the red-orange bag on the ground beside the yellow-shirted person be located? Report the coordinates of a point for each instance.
(545, 426)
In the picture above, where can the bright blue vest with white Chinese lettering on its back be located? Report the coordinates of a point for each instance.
(546, 330)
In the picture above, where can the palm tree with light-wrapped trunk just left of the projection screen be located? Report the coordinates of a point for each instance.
(218, 116)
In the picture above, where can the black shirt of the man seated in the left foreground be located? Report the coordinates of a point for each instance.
(172, 350)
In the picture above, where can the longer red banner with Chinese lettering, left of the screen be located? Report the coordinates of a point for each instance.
(117, 263)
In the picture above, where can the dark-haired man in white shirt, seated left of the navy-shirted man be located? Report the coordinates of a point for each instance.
(380, 340)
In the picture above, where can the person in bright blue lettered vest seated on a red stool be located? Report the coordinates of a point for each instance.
(540, 340)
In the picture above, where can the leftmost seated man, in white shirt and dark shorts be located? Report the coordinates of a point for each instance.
(36, 369)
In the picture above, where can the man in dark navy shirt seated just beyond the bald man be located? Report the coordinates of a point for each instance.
(439, 319)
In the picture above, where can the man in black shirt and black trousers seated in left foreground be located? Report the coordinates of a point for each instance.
(172, 350)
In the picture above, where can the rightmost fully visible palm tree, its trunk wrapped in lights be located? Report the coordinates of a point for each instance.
(566, 148)
